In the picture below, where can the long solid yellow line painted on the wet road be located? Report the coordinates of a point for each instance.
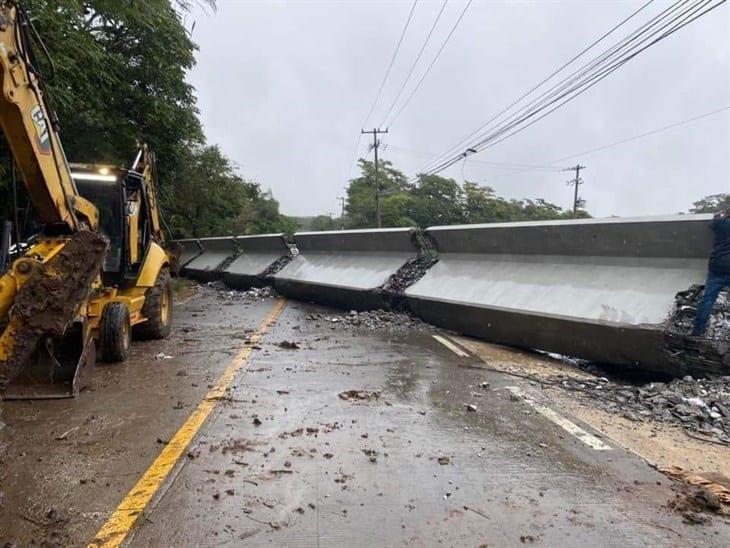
(121, 522)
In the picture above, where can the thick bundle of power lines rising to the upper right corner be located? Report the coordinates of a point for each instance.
(589, 75)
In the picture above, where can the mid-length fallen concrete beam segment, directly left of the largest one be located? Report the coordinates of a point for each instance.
(345, 268)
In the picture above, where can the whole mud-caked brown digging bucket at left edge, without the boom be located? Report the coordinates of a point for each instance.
(47, 350)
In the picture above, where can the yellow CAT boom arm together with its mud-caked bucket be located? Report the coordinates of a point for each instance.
(43, 294)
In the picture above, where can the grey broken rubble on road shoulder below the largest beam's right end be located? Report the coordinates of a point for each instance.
(701, 406)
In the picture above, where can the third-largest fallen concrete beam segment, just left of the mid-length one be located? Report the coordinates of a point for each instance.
(258, 253)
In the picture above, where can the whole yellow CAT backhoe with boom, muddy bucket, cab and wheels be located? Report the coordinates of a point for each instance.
(97, 271)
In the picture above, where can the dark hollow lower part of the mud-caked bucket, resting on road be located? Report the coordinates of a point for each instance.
(59, 368)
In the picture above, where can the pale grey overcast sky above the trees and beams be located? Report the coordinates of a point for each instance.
(283, 88)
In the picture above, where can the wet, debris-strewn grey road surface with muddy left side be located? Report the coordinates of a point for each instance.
(285, 460)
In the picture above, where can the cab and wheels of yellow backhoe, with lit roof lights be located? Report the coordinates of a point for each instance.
(136, 297)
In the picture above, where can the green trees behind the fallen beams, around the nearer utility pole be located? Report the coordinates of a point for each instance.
(435, 200)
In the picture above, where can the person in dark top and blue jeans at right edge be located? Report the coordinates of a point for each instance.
(718, 272)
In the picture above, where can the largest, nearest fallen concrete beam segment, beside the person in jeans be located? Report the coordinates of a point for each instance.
(595, 289)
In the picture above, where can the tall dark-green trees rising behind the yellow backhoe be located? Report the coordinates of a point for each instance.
(118, 80)
